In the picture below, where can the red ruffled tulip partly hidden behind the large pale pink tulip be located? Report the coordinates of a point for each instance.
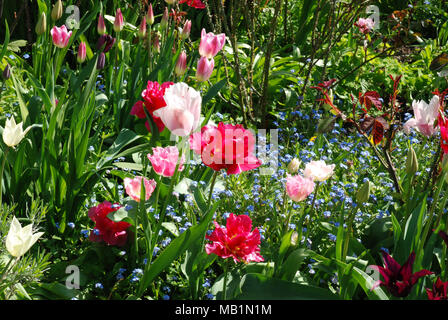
(153, 100)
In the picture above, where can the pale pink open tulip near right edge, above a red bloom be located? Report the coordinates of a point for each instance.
(424, 117)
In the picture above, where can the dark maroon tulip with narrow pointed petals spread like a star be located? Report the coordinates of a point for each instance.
(399, 280)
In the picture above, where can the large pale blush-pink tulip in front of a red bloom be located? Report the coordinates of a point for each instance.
(183, 109)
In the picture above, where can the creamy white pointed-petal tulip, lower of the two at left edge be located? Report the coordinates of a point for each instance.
(19, 240)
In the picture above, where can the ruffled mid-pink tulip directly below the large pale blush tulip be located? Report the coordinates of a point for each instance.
(164, 160)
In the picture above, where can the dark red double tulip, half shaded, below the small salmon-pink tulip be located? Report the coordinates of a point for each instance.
(111, 232)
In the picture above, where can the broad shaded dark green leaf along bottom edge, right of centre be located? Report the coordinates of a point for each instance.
(259, 287)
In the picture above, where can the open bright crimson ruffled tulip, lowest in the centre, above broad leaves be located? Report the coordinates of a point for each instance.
(236, 240)
